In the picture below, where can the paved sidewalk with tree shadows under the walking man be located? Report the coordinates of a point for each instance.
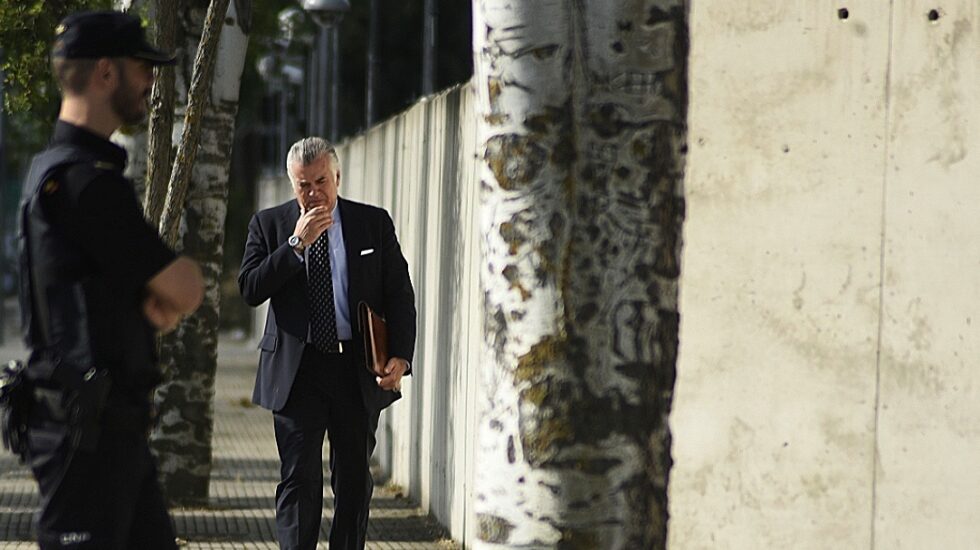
(240, 513)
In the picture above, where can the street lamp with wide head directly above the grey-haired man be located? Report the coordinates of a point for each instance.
(327, 14)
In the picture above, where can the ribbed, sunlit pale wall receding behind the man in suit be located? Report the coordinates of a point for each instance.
(421, 167)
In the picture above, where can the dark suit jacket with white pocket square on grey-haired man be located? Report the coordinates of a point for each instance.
(271, 271)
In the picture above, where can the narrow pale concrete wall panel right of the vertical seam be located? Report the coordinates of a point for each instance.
(928, 482)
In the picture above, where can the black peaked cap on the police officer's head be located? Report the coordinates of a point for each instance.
(95, 34)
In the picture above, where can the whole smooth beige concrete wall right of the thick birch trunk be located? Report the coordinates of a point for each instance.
(828, 391)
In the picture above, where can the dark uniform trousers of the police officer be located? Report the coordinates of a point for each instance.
(107, 499)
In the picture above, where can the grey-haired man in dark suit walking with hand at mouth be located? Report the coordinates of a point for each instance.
(315, 259)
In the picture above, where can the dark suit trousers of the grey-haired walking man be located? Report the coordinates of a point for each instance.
(325, 399)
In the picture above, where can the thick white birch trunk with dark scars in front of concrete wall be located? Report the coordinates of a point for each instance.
(582, 121)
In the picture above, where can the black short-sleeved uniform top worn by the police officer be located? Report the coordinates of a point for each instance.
(97, 241)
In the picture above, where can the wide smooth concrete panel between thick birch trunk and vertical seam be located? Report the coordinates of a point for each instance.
(774, 406)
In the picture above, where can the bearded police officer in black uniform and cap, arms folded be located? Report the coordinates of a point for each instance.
(97, 284)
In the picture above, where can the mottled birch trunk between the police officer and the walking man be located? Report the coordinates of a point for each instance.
(182, 438)
